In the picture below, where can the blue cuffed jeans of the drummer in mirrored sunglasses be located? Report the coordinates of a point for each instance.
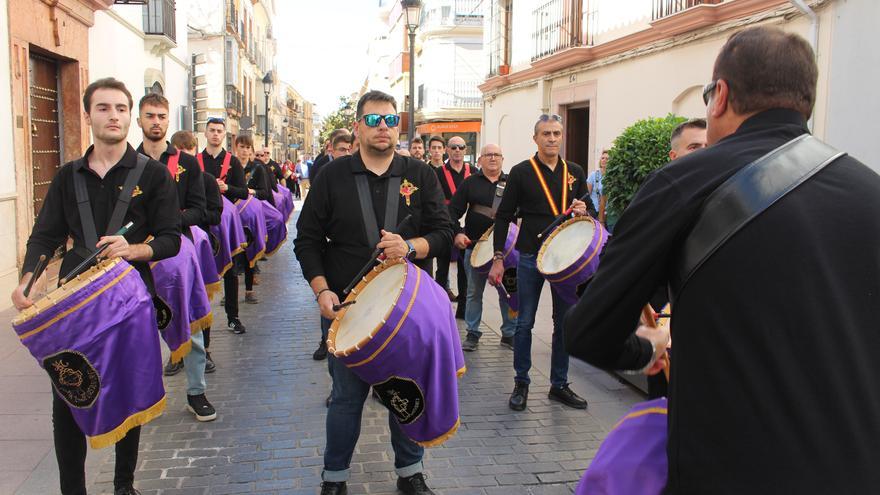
(344, 428)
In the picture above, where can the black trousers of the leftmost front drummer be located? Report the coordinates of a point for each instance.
(70, 451)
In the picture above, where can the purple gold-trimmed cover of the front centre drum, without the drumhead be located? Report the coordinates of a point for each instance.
(414, 360)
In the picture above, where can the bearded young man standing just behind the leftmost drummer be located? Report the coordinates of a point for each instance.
(184, 169)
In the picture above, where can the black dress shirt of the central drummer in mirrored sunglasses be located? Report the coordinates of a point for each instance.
(331, 239)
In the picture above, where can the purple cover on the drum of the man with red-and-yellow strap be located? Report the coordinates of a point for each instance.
(565, 282)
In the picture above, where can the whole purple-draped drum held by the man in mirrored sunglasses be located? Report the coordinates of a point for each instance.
(401, 338)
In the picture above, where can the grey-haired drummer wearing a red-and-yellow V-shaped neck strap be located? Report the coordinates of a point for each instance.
(540, 188)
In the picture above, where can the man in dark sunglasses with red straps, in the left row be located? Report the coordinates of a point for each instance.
(230, 179)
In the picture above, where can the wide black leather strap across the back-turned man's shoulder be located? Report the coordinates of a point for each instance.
(744, 196)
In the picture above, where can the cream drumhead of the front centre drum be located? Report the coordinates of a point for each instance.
(374, 304)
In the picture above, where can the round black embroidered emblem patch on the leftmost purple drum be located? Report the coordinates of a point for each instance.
(74, 378)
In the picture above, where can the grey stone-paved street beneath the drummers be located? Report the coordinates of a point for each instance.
(270, 394)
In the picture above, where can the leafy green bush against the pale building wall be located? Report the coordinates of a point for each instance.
(639, 150)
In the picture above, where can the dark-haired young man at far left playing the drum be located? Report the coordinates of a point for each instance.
(154, 211)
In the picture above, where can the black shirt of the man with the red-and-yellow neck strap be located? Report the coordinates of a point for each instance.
(525, 194)
